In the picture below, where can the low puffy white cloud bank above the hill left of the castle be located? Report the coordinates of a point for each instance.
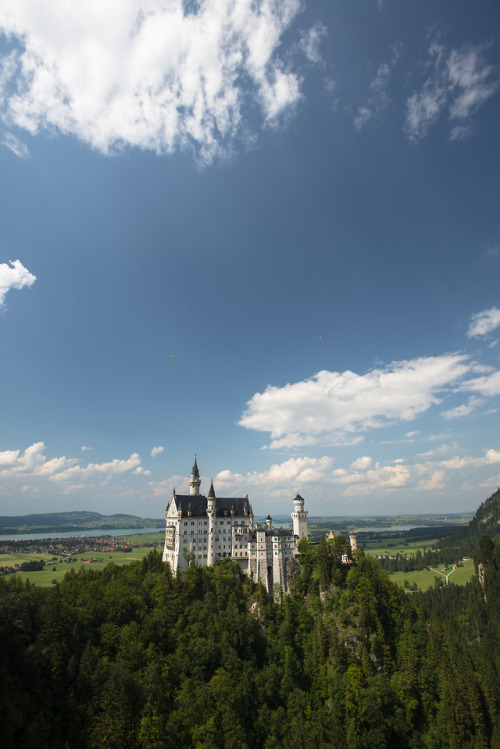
(33, 463)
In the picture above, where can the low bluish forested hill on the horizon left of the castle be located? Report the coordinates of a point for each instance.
(52, 522)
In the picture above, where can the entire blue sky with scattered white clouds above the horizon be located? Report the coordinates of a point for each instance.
(265, 233)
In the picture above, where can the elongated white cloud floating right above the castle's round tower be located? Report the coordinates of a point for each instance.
(334, 407)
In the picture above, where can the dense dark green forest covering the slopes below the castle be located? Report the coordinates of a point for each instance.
(134, 657)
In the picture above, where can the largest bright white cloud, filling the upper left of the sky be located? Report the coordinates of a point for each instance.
(148, 73)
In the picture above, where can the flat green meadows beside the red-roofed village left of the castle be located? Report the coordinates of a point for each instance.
(55, 570)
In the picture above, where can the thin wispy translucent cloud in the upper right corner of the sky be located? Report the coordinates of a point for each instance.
(458, 83)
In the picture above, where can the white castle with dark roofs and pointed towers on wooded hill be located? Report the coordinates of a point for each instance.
(201, 530)
